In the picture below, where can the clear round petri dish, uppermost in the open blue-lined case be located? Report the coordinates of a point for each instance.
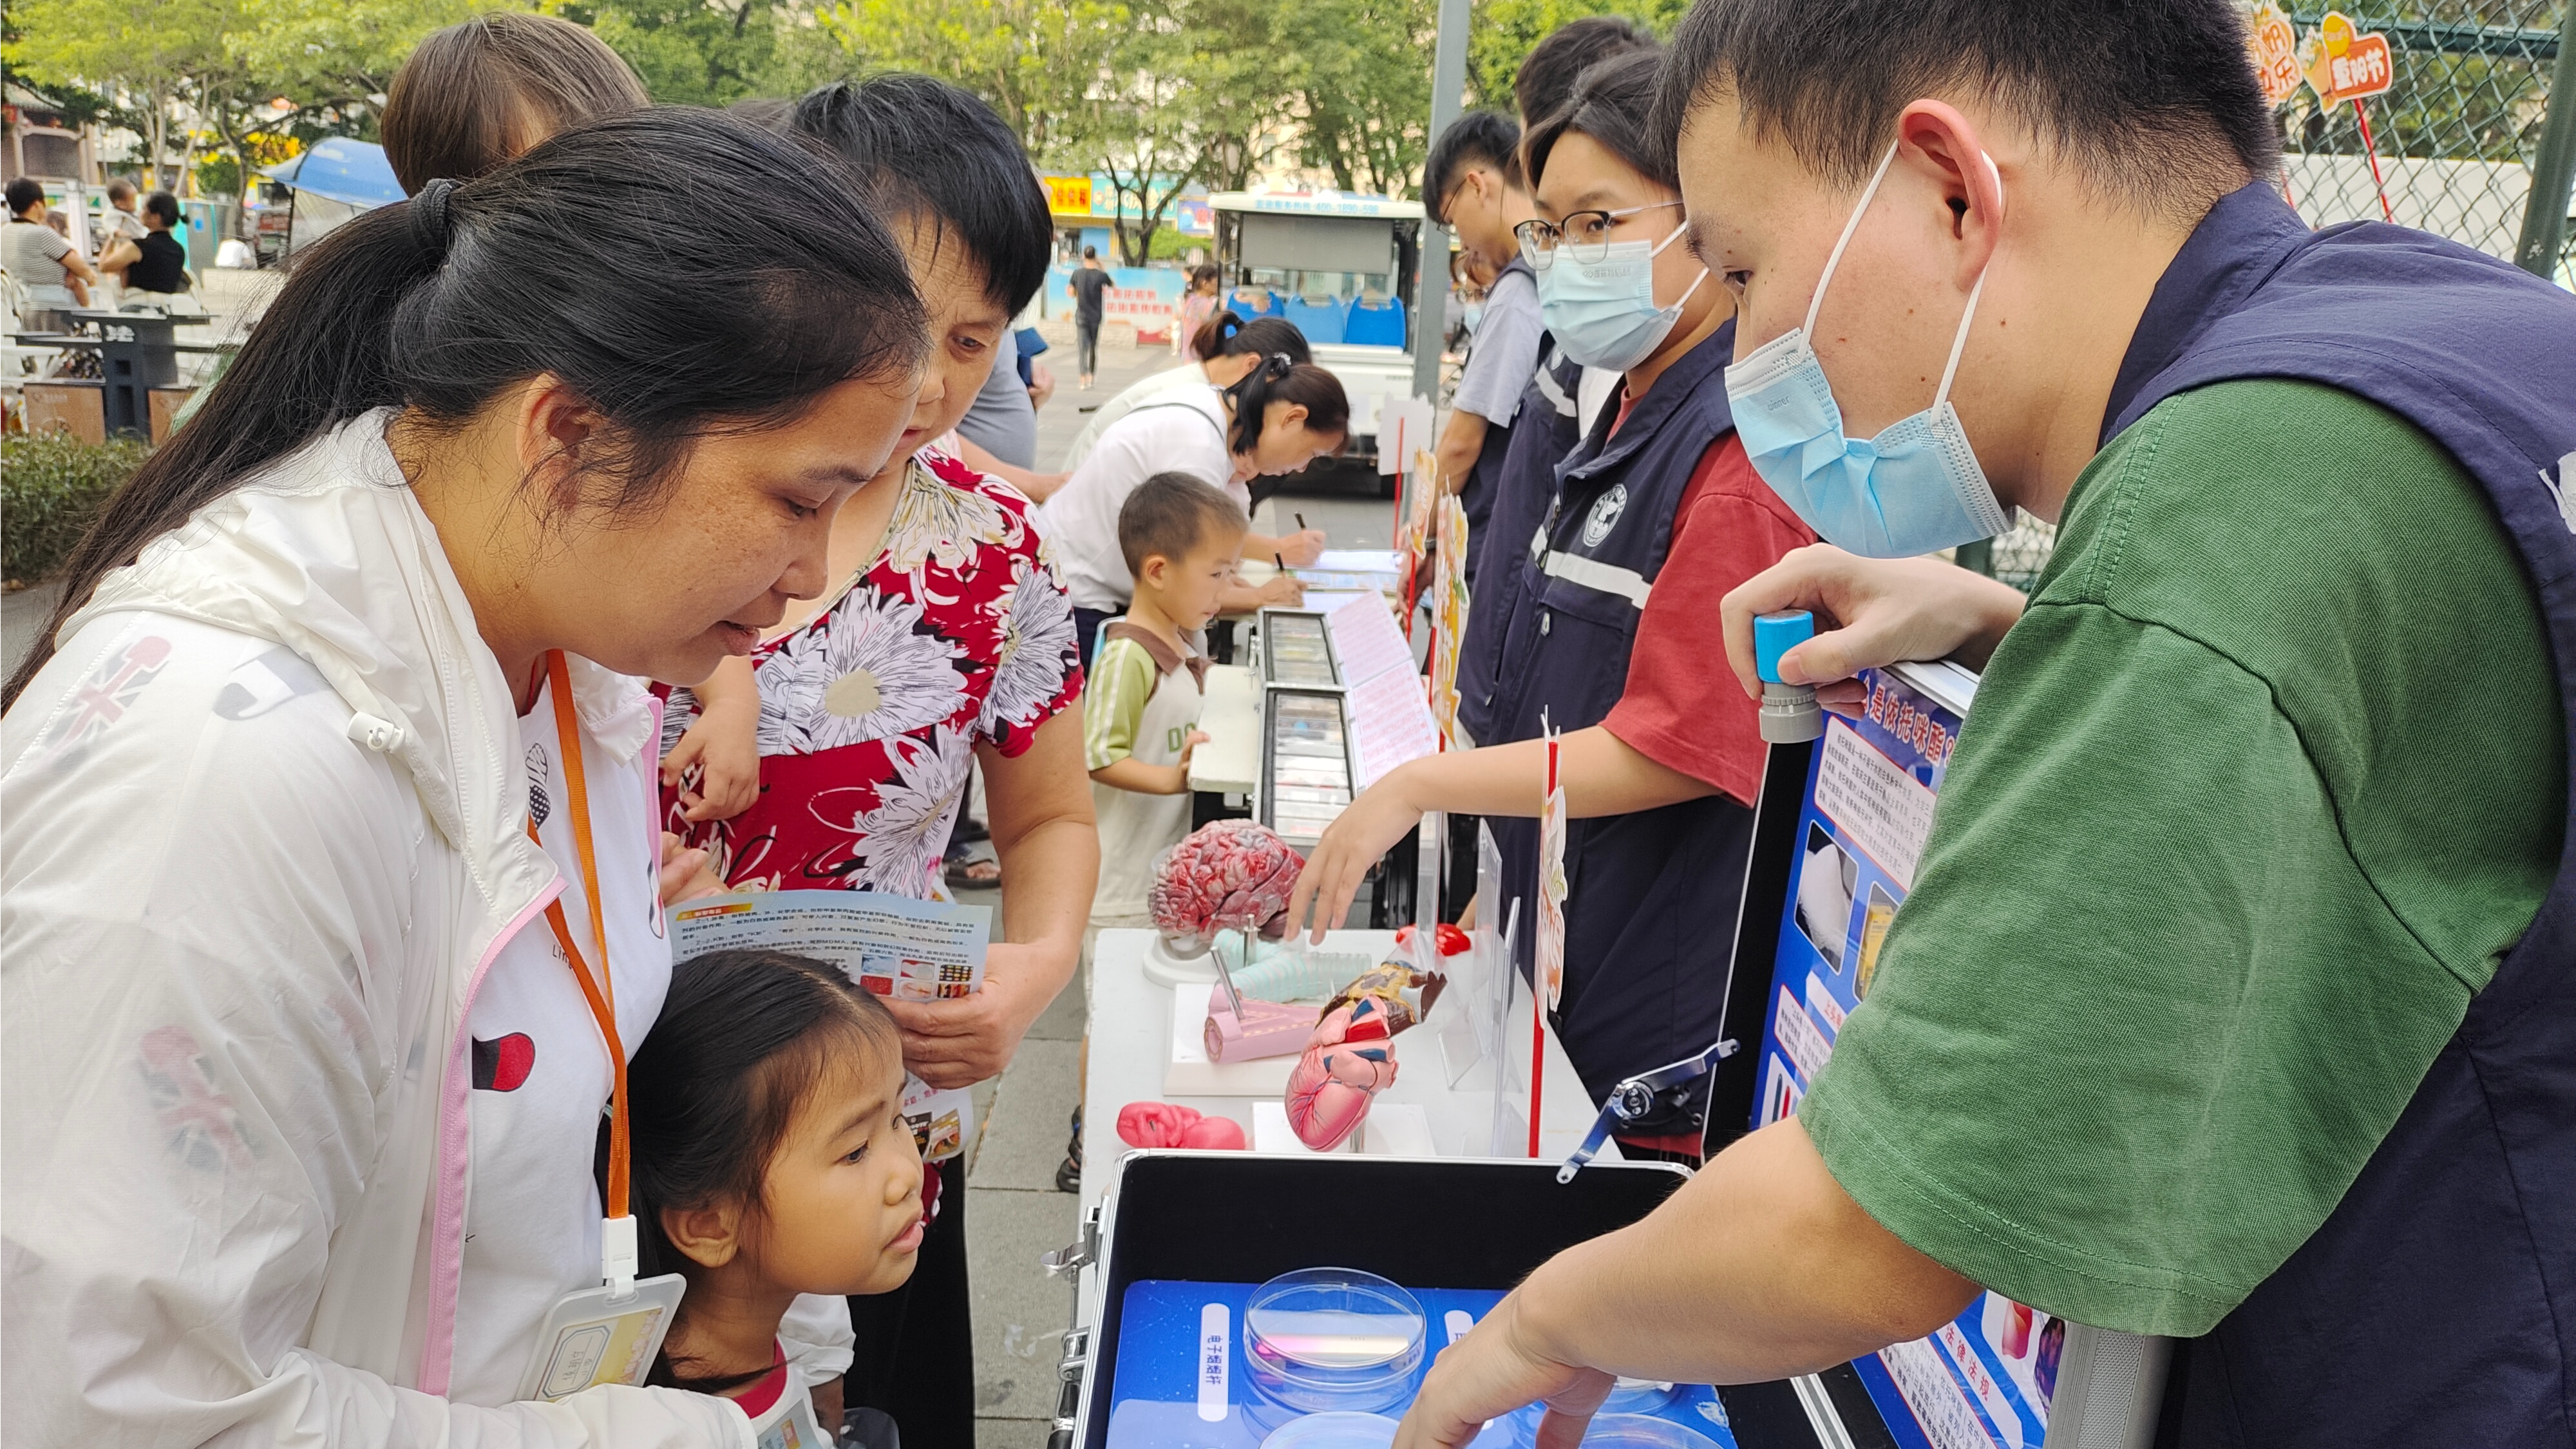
(1333, 1342)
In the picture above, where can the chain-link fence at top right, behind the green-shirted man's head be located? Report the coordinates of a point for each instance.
(2456, 138)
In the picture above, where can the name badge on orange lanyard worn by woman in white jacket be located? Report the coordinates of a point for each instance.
(607, 1334)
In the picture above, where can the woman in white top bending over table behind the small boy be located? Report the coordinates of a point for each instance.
(1276, 419)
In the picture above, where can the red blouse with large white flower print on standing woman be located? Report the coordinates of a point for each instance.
(960, 633)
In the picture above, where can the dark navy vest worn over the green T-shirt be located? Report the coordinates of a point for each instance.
(2438, 1303)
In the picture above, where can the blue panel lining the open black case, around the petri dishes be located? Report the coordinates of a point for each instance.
(1184, 1381)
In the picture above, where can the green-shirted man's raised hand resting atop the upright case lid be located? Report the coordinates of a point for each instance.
(1869, 612)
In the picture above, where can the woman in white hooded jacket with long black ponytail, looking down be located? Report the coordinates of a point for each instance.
(300, 1092)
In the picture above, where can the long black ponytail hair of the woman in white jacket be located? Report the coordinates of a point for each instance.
(581, 259)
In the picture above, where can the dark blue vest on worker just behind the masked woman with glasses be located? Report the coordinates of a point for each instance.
(1524, 489)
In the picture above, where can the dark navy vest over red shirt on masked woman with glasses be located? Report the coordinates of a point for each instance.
(1653, 896)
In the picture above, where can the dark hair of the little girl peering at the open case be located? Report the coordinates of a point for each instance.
(712, 1092)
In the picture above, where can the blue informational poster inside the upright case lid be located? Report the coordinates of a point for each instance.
(1985, 1378)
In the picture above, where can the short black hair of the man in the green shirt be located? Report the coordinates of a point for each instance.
(2155, 99)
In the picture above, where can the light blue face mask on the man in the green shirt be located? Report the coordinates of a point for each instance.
(1902, 494)
